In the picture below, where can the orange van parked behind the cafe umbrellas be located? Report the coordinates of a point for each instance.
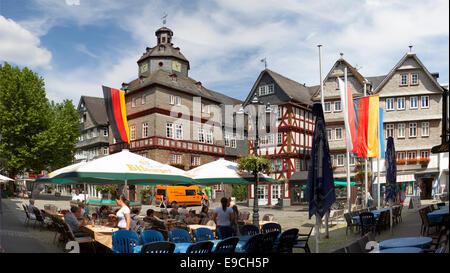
(189, 195)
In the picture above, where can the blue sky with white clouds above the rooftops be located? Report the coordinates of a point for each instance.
(79, 45)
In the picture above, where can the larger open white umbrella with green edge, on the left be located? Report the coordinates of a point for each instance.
(126, 167)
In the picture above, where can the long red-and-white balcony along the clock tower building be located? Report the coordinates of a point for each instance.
(167, 143)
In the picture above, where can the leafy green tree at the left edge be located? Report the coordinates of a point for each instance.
(36, 134)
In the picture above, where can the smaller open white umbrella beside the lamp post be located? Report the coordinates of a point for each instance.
(223, 171)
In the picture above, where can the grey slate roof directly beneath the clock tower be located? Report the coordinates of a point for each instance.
(182, 83)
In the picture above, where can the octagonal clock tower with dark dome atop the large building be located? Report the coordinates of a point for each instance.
(163, 56)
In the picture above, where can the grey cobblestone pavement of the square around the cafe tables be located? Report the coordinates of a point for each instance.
(289, 217)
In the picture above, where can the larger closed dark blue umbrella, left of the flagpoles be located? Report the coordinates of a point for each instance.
(320, 192)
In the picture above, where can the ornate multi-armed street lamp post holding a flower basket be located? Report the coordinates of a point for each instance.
(268, 110)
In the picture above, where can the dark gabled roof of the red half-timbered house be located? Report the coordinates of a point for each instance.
(296, 91)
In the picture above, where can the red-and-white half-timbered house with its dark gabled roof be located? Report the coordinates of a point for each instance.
(289, 144)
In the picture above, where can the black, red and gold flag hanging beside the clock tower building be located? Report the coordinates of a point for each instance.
(115, 109)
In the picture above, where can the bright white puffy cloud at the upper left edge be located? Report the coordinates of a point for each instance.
(20, 46)
